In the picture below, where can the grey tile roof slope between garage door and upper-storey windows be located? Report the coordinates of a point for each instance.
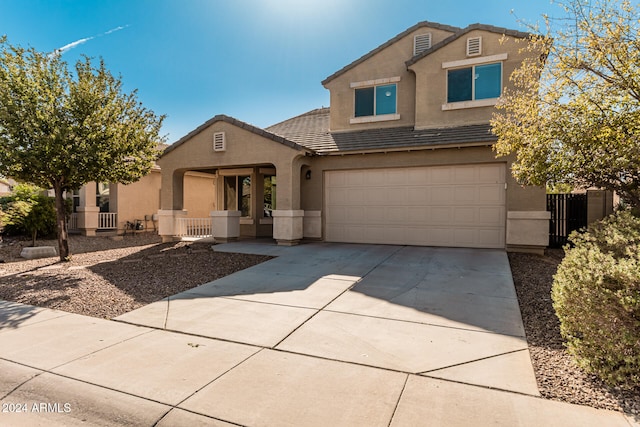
(312, 131)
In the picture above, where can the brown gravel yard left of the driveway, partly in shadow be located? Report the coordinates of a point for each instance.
(106, 278)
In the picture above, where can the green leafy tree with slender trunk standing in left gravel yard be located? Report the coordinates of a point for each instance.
(60, 129)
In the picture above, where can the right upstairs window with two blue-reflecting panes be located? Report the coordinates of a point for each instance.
(474, 83)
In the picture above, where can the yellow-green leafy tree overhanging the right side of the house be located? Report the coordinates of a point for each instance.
(573, 114)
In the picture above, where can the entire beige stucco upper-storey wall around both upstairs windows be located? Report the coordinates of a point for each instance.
(422, 89)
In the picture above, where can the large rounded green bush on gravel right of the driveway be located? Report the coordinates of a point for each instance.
(596, 295)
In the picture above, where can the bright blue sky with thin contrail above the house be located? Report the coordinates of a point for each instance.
(260, 61)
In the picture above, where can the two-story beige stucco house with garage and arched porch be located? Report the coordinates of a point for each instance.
(402, 156)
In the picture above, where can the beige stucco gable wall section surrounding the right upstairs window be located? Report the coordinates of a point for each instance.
(431, 79)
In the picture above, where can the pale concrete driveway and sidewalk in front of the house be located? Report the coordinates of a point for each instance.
(324, 334)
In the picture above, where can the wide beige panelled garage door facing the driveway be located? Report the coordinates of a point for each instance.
(460, 206)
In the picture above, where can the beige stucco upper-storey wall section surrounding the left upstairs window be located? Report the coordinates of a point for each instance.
(389, 62)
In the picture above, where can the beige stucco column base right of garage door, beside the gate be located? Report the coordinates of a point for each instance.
(528, 231)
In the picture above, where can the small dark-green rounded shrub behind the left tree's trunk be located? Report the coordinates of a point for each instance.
(28, 210)
